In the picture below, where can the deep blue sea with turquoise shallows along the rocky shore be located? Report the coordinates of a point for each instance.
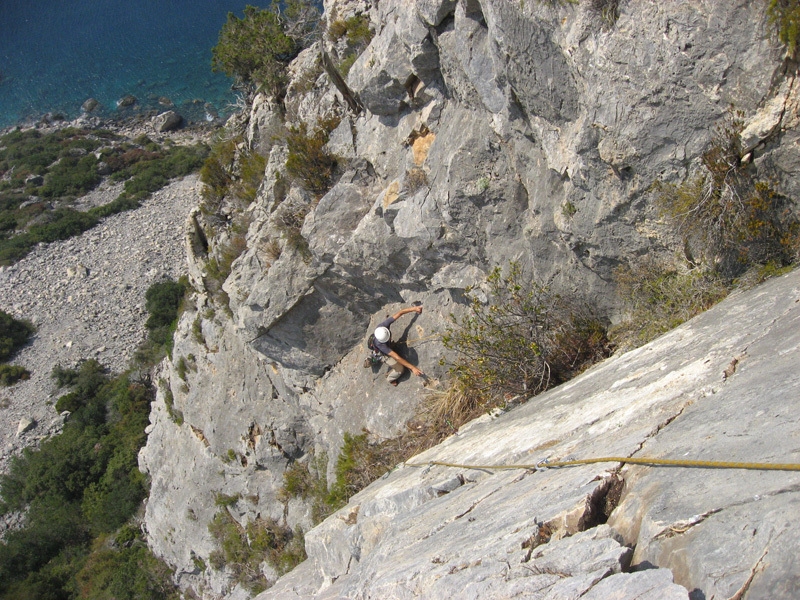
(55, 54)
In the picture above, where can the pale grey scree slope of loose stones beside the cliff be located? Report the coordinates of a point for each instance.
(86, 297)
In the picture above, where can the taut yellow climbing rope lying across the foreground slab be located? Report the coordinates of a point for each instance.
(669, 462)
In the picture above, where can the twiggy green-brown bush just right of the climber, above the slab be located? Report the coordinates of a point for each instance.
(519, 343)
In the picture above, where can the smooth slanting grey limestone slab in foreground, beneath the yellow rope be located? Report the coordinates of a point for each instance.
(590, 531)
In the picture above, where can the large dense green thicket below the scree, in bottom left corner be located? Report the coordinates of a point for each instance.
(80, 483)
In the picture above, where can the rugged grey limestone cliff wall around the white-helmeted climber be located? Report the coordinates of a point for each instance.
(491, 131)
